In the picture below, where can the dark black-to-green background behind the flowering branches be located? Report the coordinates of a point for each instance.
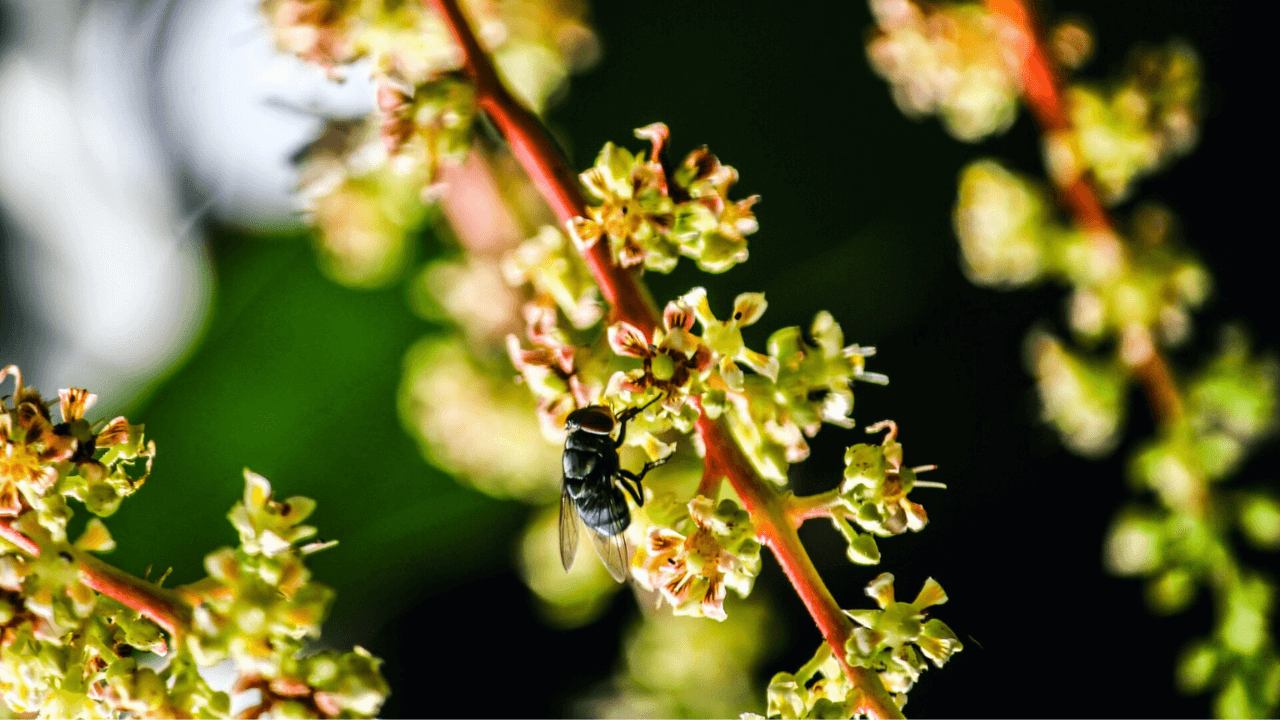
(298, 377)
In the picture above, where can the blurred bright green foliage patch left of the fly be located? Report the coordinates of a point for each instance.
(296, 379)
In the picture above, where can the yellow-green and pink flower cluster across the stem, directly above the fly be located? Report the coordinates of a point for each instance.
(804, 380)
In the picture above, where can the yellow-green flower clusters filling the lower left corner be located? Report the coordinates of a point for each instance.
(70, 653)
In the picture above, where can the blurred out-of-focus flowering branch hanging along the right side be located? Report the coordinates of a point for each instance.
(1009, 239)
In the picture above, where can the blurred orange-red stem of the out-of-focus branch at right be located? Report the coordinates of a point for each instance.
(1043, 89)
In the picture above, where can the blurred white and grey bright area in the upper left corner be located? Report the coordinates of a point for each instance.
(124, 125)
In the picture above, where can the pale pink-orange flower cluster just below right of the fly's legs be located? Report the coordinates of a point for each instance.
(693, 569)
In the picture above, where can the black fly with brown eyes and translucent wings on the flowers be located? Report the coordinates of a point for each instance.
(593, 486)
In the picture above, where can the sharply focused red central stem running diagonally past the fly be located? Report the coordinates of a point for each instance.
(630, 302)
